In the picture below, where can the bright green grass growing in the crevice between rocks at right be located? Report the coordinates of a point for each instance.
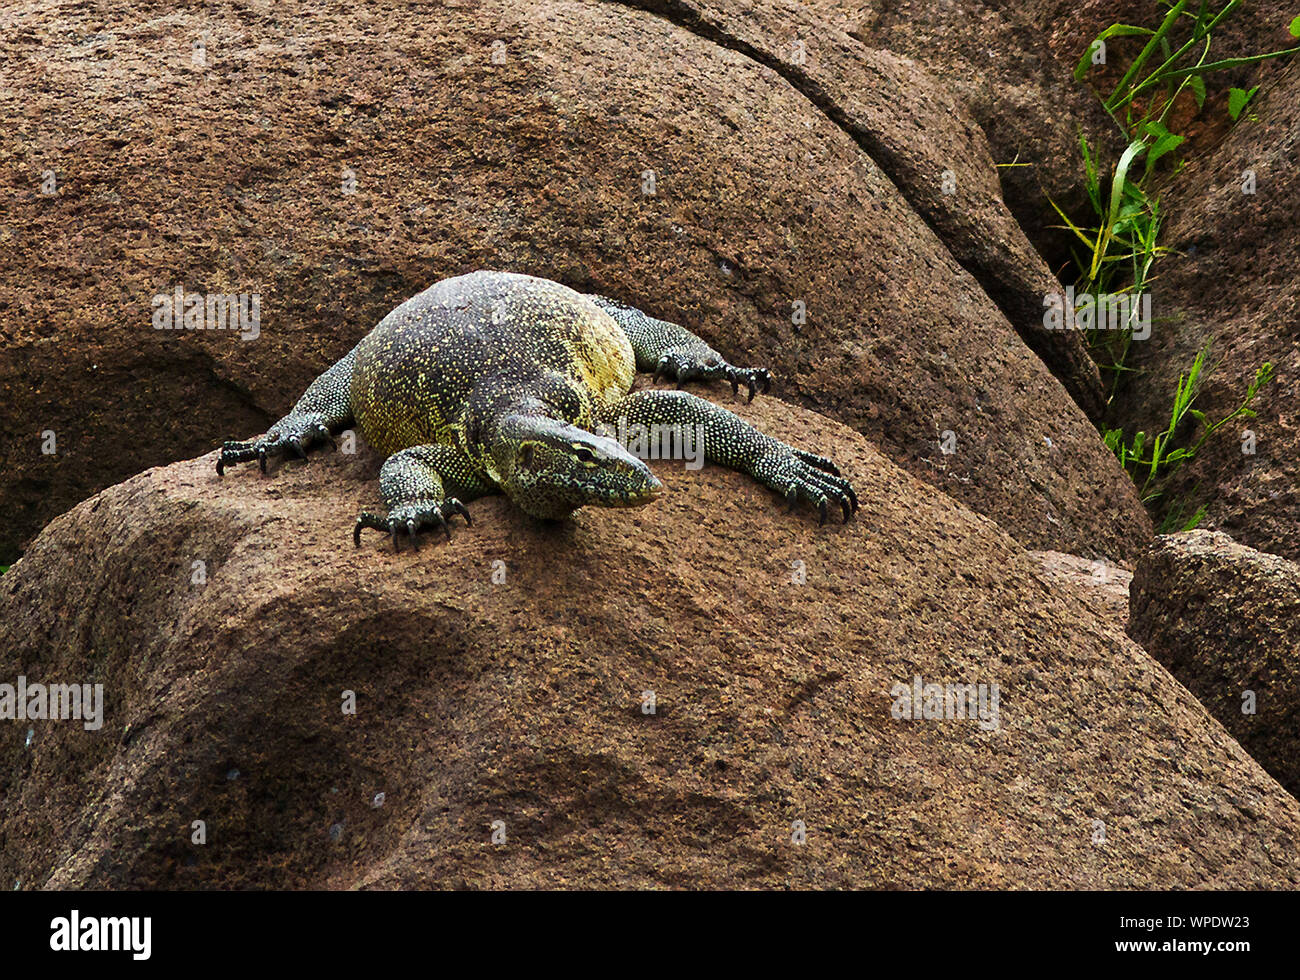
(1117, 248)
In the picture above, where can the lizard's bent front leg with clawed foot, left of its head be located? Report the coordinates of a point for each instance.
(423, 487)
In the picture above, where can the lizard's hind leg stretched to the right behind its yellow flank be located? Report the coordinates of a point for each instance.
(673, 352)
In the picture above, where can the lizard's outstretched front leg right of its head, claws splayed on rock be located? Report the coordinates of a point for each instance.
(733, 443)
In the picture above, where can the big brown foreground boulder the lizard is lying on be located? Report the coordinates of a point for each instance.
(521, 701)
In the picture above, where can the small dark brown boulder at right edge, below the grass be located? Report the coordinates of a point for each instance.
(1225, 619)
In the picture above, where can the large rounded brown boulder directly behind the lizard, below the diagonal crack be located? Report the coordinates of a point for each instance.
(227, 177)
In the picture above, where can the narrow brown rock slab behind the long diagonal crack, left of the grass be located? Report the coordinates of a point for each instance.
(922, 136)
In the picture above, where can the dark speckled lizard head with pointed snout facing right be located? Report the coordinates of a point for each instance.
(552, 469)
